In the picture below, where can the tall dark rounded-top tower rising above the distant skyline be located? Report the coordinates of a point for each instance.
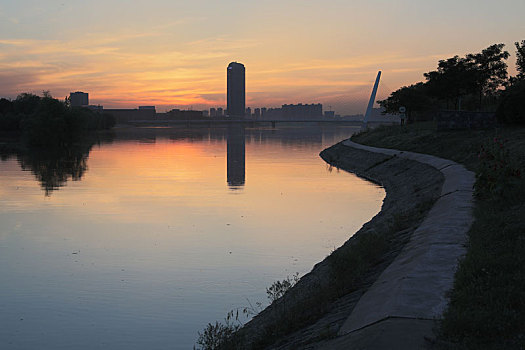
(236, 94)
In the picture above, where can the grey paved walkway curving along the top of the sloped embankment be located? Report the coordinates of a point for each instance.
(415, 285)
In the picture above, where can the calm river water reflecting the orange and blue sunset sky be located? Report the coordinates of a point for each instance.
(141, 239)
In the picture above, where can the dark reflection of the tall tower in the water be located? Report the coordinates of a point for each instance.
(236, 156)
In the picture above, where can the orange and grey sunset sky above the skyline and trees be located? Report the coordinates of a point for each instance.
(174, 54)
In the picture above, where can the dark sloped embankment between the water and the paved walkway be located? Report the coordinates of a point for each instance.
(311, 314)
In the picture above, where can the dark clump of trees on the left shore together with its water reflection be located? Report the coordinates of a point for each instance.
(50, 138)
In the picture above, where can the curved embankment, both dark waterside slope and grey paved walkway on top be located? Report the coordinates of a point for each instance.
(322, 312)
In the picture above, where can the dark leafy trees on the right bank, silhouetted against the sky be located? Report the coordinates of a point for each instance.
(477, 82)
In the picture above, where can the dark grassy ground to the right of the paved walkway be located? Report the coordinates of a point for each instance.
(487, 304)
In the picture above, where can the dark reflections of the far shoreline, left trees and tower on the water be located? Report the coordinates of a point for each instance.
(54, 167)
